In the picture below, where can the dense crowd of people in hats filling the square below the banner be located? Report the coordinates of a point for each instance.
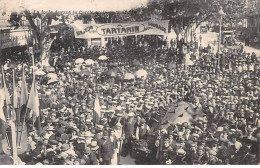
(223, 88)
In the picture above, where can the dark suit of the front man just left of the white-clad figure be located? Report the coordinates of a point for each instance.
(106, 150)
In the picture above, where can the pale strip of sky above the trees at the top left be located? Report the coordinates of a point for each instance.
(66, 5)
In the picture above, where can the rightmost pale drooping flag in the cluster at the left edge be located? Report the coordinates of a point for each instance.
(33, 102)
